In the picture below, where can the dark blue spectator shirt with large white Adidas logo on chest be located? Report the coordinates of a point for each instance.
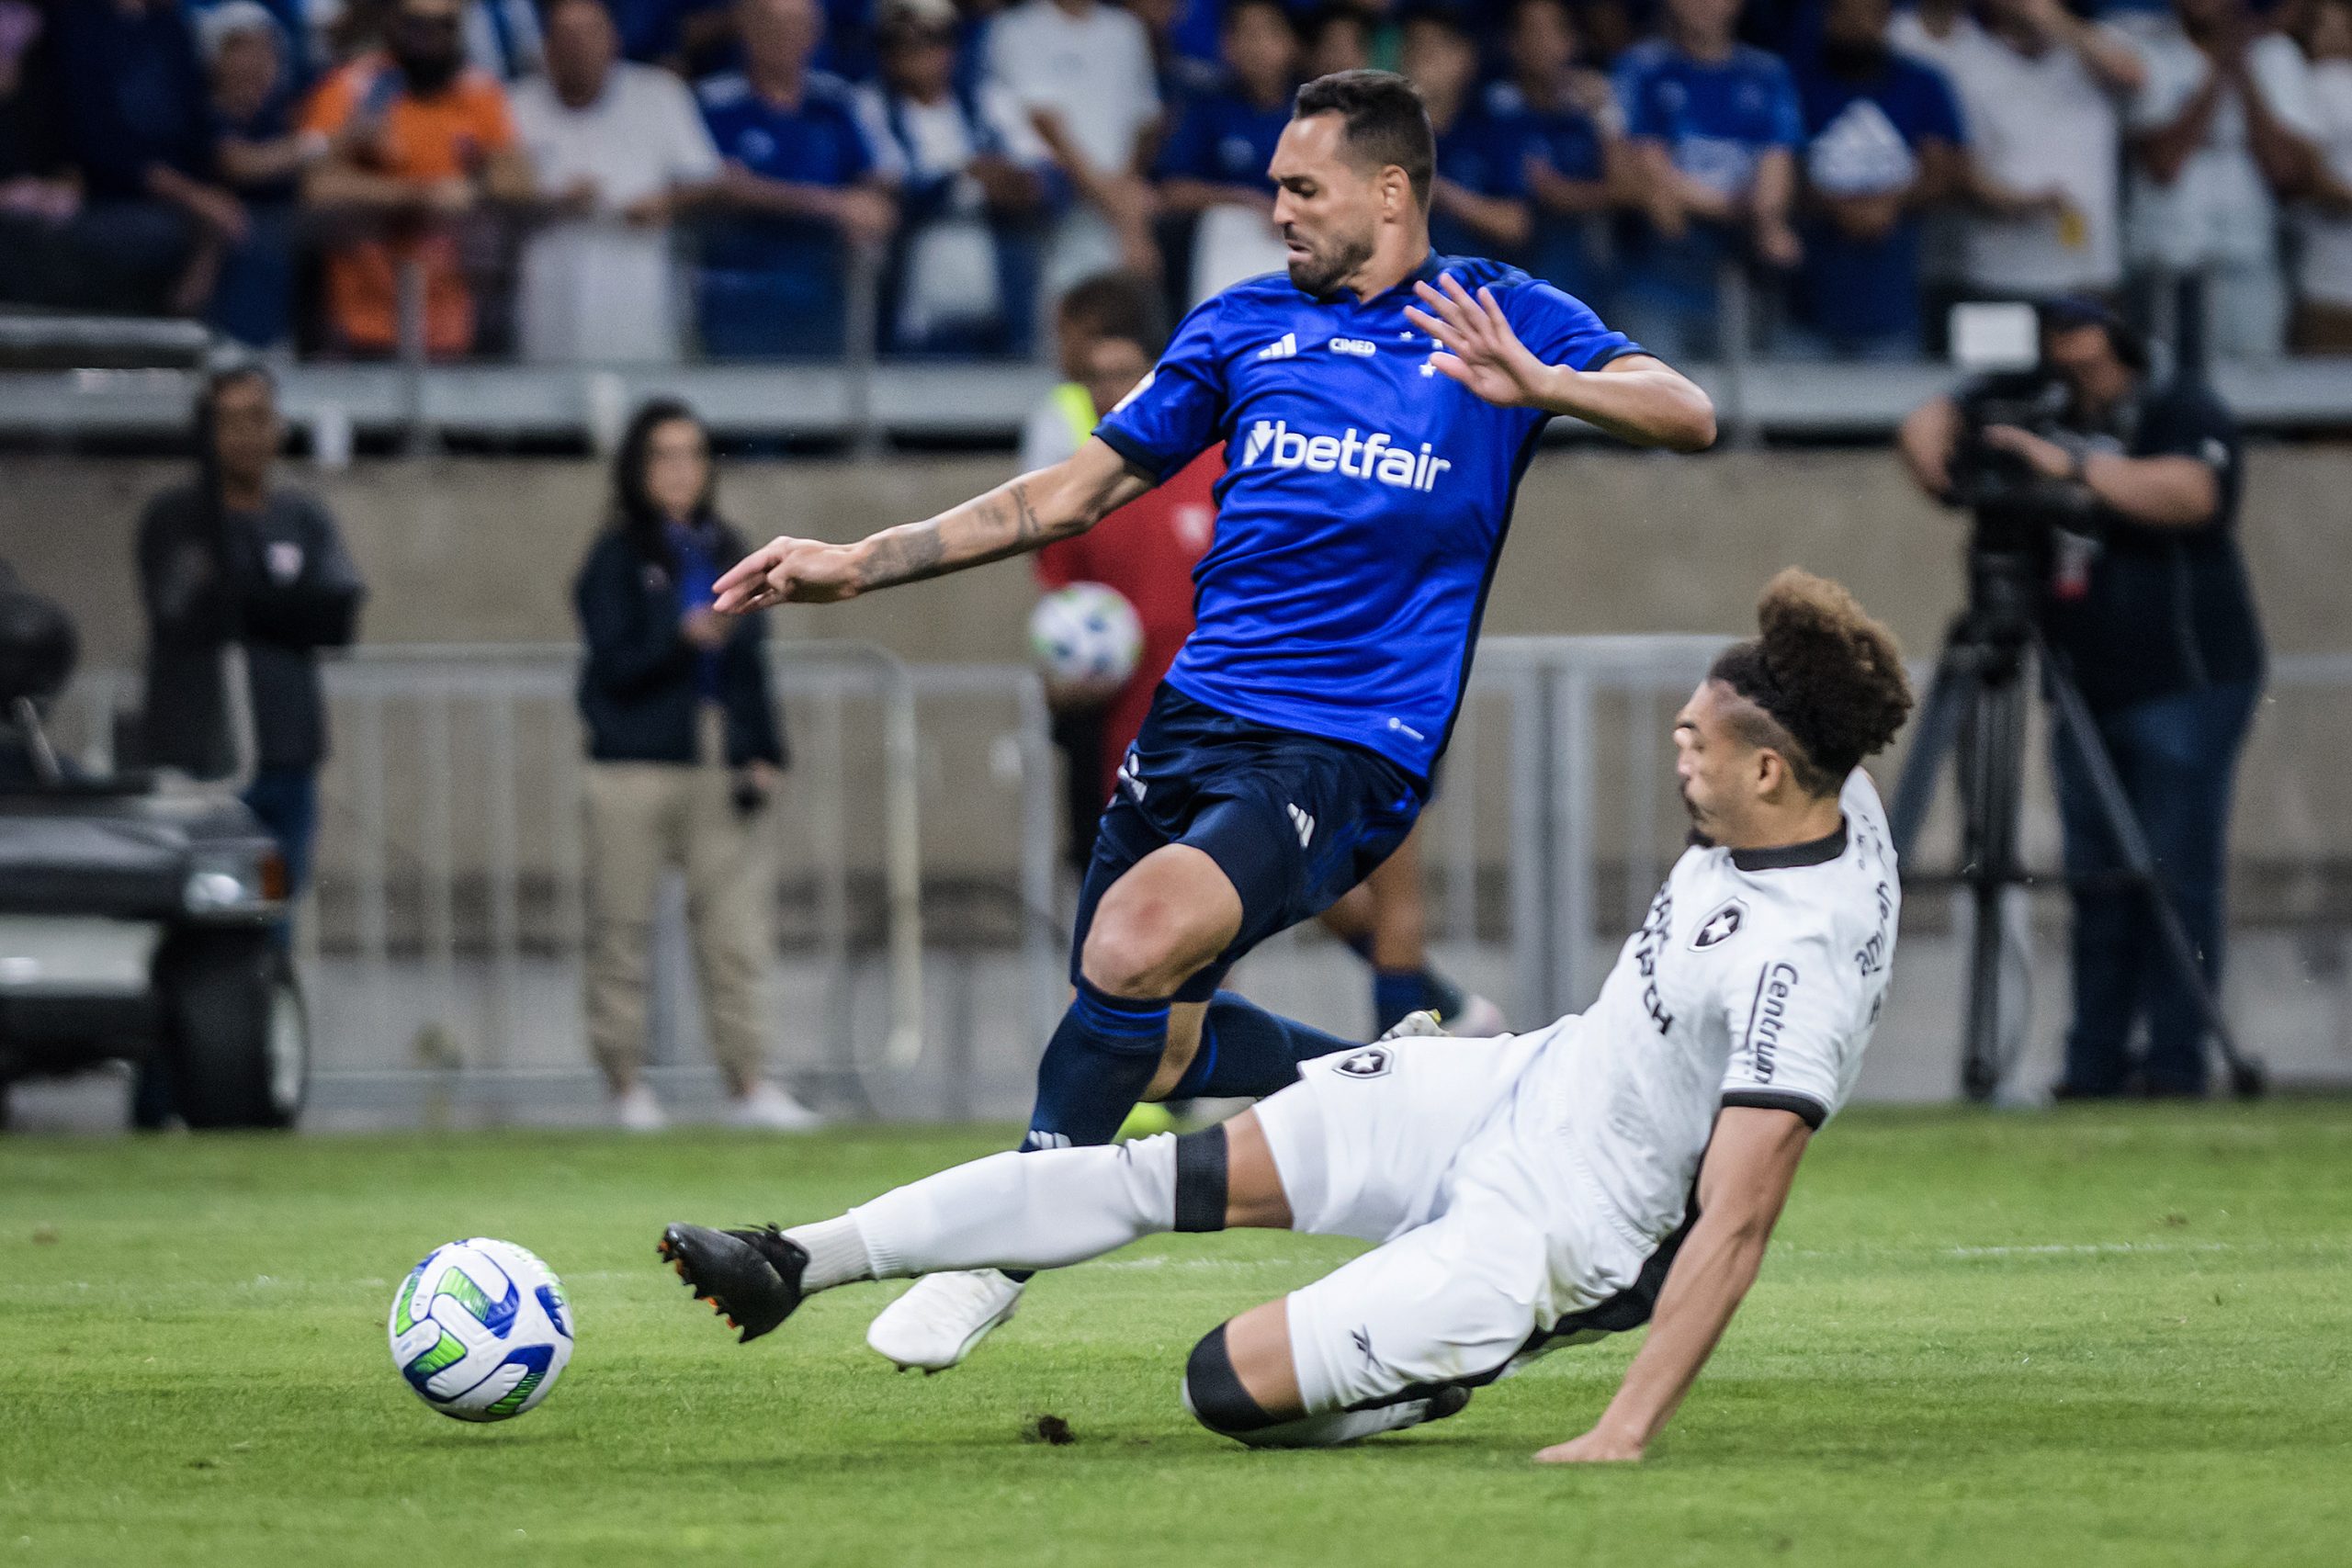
(1866, 140)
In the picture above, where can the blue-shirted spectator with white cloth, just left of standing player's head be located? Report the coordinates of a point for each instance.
(1215, 163)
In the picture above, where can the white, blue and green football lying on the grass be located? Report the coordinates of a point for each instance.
(481, 1329)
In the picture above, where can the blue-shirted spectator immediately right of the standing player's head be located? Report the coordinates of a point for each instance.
(1478, 201)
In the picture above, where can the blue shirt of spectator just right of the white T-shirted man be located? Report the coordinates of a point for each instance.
(815, 145)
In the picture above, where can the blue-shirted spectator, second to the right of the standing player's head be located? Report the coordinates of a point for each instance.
(1575, 138)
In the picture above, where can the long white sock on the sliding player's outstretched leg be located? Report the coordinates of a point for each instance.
(1024, 1212)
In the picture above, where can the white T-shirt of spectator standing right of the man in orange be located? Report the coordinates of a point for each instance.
(599, 288)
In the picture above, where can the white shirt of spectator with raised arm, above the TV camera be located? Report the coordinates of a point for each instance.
(2038, 123)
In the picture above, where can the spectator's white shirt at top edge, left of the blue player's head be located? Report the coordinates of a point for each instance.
(1095, 72)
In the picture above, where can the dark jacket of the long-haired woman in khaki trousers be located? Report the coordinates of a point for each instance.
(639, 690)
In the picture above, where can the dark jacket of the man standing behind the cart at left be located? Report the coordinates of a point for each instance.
(276, 582)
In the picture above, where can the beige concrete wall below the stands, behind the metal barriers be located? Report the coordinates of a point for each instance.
(483, 551)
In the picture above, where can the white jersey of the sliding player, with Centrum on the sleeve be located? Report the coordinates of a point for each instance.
(1756, 981)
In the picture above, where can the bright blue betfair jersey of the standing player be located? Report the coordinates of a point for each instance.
(1363, 507)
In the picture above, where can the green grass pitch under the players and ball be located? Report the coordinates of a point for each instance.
(1982, 1339)
